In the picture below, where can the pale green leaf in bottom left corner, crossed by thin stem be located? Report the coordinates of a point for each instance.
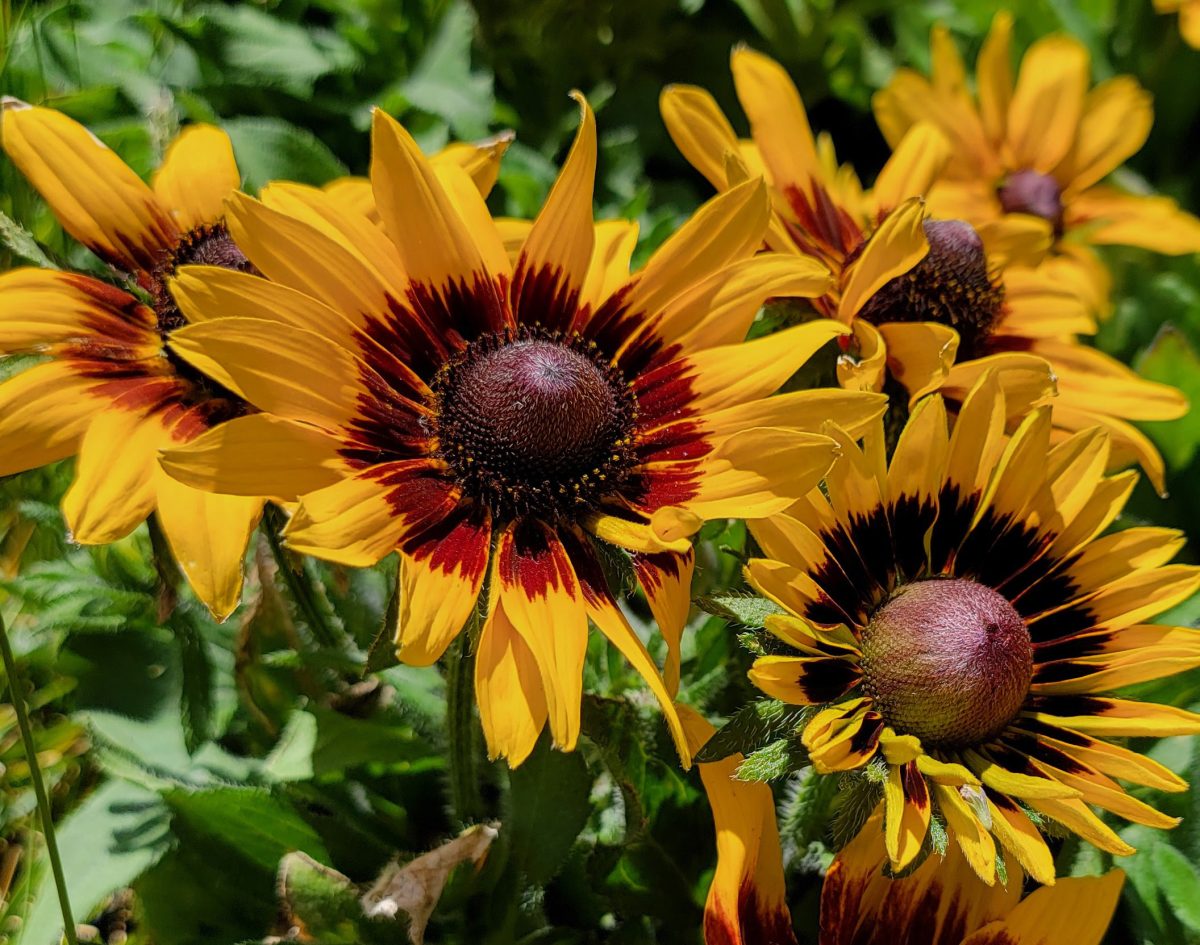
(107, 842)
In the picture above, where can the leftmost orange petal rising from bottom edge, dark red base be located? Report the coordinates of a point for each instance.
(747, 900)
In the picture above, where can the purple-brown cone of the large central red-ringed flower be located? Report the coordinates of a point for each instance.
(535, 423)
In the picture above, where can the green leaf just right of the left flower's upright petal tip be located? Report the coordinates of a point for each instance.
(273, 149)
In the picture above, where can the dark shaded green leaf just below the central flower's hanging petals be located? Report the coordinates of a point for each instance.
(549, 800)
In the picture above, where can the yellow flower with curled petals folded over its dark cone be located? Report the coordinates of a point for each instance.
(935, 300)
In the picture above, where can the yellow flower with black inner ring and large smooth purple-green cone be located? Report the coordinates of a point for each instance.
(959, 623)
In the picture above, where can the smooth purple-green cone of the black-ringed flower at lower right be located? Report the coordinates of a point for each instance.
(949, 661)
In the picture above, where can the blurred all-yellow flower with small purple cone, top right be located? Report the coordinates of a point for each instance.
(1041, 147)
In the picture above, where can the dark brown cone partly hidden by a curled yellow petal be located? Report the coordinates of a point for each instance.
(951, 286)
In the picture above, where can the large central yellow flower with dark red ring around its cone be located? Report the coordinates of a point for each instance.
(421, 393)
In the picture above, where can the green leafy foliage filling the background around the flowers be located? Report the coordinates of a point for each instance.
(223, 784)
